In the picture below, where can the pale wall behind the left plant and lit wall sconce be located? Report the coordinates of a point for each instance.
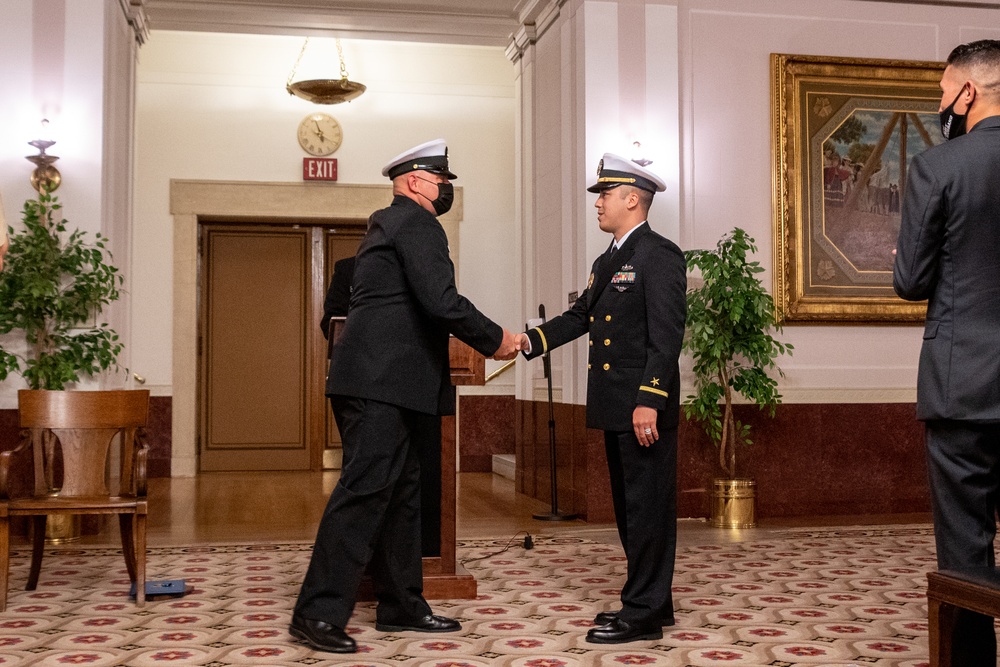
(53, 58)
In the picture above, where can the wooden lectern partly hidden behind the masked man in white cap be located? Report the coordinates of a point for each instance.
(444, 576)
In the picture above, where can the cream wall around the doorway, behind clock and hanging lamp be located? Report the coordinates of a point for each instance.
(214, 106)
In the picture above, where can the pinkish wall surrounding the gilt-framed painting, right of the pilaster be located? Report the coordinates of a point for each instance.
(726, 165)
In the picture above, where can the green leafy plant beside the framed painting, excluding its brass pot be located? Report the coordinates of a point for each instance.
(729, 323)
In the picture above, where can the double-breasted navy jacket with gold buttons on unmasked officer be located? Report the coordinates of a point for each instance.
(634, 308)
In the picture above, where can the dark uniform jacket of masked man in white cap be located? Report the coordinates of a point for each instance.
(404, 305)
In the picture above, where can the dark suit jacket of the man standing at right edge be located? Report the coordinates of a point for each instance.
(949, 252)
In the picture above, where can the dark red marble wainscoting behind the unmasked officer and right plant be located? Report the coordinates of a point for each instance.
(809, 460)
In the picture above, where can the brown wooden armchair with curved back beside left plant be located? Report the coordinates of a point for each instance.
(81, 426)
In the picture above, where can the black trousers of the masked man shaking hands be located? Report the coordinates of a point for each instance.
(372, 518)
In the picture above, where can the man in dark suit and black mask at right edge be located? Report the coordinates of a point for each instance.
(949, 253)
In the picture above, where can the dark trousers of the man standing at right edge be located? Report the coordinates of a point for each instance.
(963, 460)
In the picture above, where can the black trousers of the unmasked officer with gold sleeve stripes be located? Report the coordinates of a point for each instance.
(644, 492)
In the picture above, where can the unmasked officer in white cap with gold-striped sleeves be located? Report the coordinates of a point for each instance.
(634, 309)
